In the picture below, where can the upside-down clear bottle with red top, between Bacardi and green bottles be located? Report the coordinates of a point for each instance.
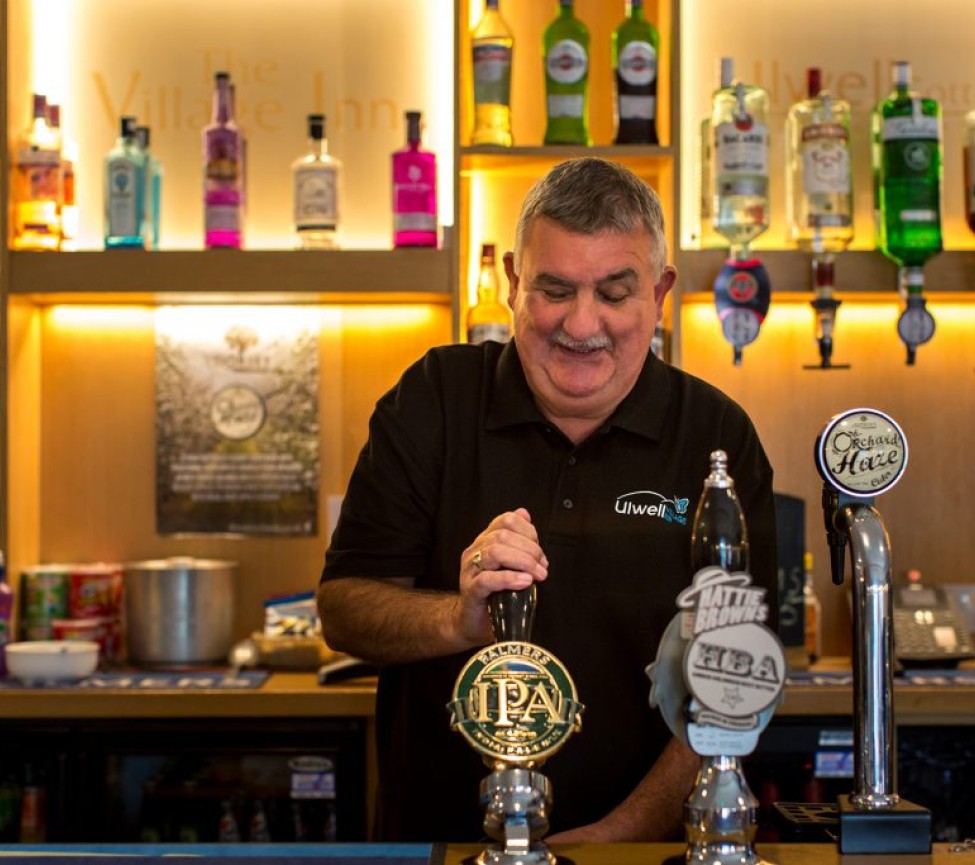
(819, 196)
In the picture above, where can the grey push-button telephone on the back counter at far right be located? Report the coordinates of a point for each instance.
(929, 627)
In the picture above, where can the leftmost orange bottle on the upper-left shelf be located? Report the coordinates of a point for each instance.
(36, 185)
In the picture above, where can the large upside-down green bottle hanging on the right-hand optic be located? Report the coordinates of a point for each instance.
(907, 160)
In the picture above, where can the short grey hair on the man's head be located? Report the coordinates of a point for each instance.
(590, 195)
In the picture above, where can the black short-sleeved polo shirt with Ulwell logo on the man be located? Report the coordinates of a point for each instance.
(459, 440)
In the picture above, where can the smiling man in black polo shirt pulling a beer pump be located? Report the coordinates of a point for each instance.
(571, 457)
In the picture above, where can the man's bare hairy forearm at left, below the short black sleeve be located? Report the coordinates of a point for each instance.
(385, 623)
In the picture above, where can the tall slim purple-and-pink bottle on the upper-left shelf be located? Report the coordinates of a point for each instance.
(223, 174)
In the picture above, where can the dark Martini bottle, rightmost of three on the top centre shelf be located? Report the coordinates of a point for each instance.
(635, 46)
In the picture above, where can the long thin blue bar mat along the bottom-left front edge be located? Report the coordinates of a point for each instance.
(225, 854)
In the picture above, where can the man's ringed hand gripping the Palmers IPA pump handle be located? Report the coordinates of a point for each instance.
(506, 555)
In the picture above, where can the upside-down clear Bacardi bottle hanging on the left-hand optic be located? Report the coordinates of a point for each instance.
(739, 164)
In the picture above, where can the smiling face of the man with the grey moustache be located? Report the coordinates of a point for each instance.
(585, 307)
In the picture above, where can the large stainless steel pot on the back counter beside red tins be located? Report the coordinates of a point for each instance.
(180, 611)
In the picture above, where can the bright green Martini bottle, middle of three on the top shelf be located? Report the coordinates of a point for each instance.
(566, 51)
